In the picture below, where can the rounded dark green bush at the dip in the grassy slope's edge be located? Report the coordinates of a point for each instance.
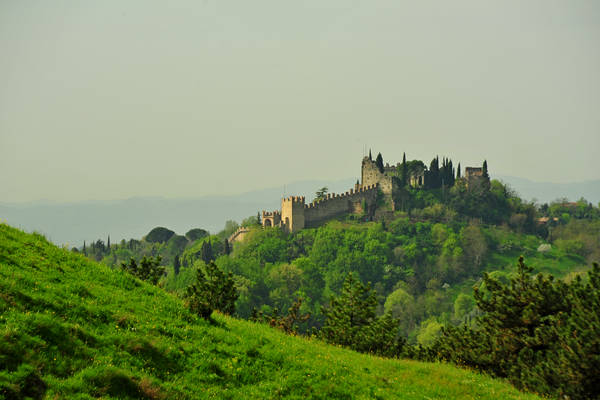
(213, 290)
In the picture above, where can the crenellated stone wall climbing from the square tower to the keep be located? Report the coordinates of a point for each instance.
(335, 205)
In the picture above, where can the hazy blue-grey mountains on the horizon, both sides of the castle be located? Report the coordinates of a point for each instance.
(72, 223)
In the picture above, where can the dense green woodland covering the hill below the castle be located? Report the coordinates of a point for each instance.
(417, 267)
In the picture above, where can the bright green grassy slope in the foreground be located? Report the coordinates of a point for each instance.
(71, 328)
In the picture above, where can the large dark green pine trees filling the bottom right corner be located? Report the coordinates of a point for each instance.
(532, 328)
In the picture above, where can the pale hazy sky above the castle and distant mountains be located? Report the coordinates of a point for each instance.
(113, 99)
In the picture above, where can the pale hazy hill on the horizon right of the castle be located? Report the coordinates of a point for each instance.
(545, 192)
